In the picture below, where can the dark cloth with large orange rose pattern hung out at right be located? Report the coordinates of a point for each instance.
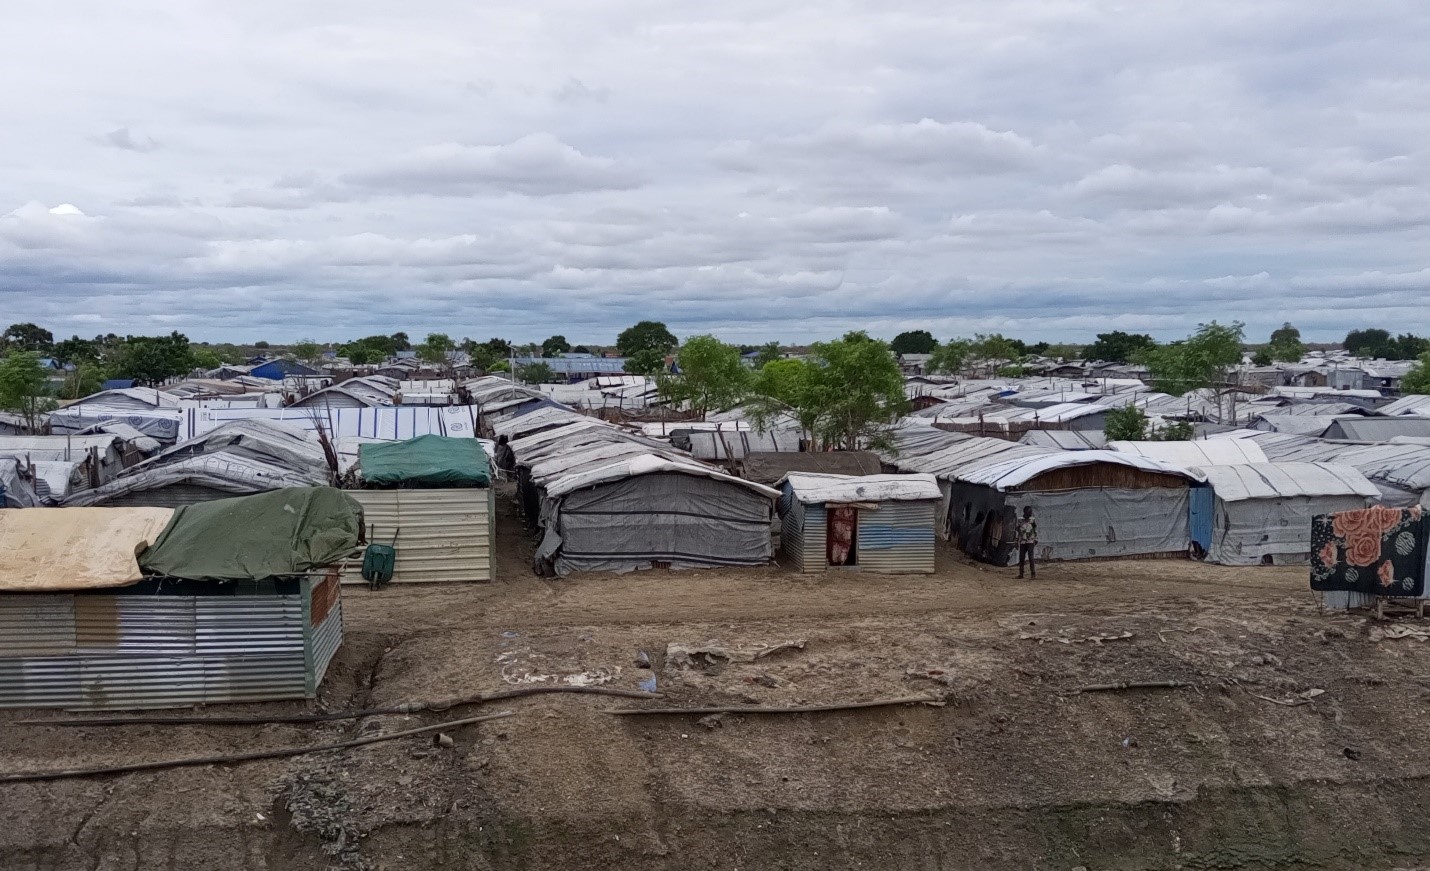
(1378, 551)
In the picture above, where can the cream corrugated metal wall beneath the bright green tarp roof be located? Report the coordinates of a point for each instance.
(447, 536)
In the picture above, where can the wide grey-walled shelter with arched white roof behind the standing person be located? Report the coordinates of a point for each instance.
(1090, 506)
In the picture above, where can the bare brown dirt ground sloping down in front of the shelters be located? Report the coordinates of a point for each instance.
(1295, 743)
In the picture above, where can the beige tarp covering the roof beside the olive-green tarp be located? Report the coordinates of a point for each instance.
(75, 548)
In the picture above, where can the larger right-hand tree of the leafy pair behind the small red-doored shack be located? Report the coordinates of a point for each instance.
(859, 391)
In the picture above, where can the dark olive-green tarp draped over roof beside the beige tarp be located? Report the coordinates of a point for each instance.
(282, 533)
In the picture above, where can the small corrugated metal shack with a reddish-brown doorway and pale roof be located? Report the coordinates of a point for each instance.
(869, 523)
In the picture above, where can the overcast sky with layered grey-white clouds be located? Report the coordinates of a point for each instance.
(763, 171)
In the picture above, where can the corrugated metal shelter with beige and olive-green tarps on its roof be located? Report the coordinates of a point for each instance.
(235, 601)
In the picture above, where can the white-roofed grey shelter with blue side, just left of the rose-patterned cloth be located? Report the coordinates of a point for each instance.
(1261, 514)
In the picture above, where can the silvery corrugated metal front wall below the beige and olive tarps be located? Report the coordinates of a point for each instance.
(141, 651)
